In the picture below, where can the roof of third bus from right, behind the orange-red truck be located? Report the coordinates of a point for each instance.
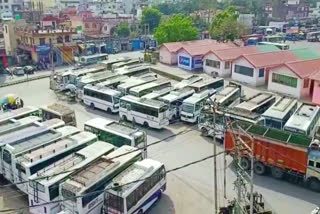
(253, 102)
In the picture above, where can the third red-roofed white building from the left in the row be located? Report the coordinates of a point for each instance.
(219, 62)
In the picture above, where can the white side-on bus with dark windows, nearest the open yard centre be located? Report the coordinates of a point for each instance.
(150, 113)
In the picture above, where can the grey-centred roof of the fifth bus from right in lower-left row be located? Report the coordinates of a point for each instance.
(41, 139)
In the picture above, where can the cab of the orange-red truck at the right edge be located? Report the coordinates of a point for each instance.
(313, 169)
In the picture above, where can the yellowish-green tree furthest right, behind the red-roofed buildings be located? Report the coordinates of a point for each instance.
(225, 25)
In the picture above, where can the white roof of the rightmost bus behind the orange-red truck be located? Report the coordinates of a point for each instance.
(303, 117)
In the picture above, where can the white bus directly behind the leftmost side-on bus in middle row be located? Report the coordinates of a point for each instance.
(92, 80)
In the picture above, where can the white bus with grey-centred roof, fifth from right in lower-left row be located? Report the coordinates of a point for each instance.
(10, 152)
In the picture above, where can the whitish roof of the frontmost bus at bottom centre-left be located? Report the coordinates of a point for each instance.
(138, 171)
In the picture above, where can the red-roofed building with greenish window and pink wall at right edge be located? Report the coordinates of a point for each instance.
(299, 79)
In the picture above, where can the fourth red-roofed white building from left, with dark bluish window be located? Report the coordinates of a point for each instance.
(253, 69)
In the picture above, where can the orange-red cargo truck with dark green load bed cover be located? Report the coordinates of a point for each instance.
(283, 153)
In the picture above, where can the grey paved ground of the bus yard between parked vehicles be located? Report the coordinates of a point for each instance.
(190, 190)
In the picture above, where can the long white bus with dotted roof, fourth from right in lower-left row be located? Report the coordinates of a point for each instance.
(41, 157)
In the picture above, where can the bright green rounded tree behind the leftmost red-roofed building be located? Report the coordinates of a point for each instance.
(176, 28)
